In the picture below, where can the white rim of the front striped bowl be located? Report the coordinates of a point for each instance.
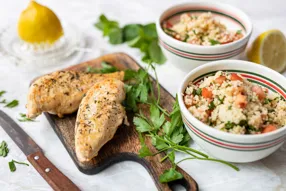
(207, 128)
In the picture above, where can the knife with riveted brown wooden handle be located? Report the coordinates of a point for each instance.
(57, 180)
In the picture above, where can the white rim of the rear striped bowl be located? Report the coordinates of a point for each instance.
(199, 47)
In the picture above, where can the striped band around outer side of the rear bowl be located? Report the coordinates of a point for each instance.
(196, 56)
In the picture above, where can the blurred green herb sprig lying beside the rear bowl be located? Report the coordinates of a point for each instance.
(143, 37)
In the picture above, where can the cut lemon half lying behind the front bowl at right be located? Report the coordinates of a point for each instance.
(269, 49)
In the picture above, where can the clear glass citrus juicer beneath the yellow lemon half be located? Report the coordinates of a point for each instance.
(41, 55)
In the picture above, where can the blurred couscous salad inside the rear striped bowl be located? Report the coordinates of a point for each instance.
(201, 29)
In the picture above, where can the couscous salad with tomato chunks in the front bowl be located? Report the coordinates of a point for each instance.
(231, 103)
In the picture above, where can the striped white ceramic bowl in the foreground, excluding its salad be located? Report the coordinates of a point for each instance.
(227, 146)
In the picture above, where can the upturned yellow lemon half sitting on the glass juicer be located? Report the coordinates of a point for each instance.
(39, 24)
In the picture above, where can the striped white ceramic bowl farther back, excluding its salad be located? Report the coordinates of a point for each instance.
(188, 56)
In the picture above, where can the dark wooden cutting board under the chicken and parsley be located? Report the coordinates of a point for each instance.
(125, 144)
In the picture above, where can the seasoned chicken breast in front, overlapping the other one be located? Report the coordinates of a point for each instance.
(99, 115)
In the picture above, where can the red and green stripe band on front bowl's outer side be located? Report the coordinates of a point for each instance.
(236, 146)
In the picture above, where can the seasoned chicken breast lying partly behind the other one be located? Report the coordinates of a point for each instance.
(61, 92)
